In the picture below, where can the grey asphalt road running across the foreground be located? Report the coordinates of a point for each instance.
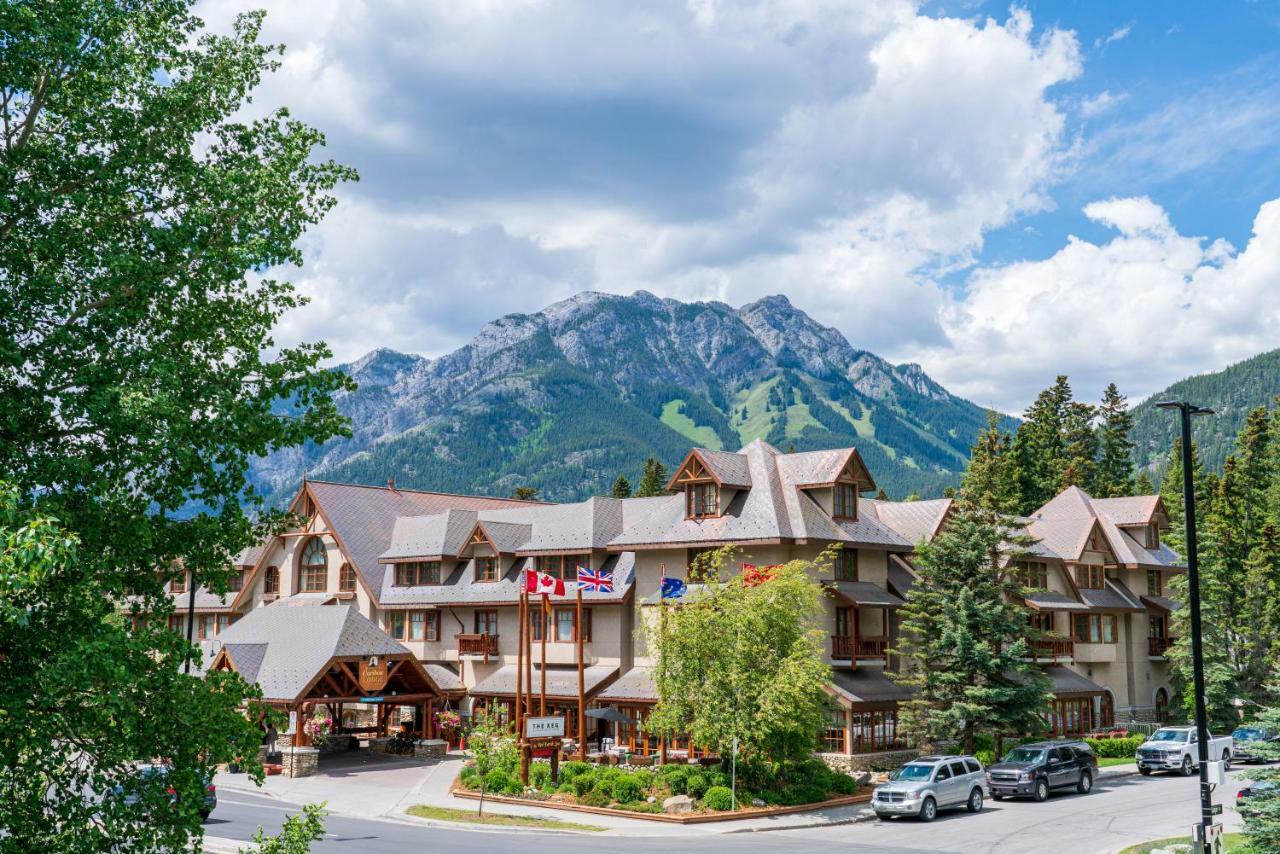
(1119, 812)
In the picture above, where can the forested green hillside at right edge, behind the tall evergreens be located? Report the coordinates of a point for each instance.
(1231, 394)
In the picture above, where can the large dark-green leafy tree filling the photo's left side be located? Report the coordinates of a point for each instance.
(139, 217)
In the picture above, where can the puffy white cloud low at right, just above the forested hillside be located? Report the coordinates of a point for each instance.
(1144, 309)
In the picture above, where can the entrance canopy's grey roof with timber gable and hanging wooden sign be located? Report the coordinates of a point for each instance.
(321, 655)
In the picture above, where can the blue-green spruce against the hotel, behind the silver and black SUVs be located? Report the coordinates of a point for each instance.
(966, 634)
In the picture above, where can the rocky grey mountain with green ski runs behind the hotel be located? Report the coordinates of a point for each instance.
(568, 399)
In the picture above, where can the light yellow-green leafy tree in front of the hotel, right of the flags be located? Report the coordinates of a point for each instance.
(742, 661)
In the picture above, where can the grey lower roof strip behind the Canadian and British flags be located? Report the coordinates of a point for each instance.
(460, 587)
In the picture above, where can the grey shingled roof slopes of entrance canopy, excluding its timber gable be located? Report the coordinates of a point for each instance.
(289, 649)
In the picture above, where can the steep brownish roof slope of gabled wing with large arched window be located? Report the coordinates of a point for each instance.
(364, 518)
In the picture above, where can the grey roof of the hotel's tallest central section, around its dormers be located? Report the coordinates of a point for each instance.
(776, 508)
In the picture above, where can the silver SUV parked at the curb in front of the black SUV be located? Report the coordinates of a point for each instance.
(926, 786)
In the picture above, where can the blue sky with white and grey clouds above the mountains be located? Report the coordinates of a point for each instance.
(1000, 194)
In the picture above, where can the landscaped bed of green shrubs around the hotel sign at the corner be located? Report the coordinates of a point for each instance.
(642, 792)
